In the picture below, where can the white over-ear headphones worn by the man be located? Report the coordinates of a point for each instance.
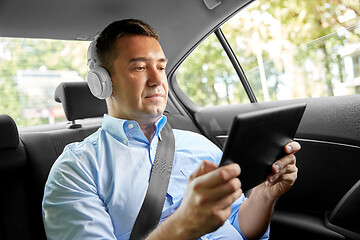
(98, 79)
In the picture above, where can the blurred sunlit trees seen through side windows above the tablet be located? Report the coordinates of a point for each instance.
(279, 31)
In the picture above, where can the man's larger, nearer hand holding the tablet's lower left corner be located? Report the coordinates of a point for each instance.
(208, 198)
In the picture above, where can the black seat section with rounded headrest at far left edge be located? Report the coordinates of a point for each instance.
(14, 204)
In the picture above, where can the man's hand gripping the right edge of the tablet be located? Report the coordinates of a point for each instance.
(284, 173)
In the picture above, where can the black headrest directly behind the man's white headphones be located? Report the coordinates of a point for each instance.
(78, 102)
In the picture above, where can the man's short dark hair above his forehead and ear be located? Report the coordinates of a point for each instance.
(115, 30)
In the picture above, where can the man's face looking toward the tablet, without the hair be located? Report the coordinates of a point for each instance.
(140, 85)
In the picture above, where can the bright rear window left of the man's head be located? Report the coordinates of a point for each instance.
(30, 71)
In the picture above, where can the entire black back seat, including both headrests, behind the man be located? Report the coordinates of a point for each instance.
(25, 163)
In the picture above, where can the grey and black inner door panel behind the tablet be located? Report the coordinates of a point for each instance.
(329, 161)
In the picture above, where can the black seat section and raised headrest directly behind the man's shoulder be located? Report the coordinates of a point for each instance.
(43, 148)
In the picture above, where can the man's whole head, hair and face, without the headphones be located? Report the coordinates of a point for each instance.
(130, 51)
